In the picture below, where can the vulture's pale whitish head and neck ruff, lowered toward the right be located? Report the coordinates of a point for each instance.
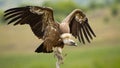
(66, 37)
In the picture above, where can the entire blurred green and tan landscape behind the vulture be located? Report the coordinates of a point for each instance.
(17, 43)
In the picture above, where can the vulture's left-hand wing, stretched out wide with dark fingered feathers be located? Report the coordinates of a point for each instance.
(37, 17)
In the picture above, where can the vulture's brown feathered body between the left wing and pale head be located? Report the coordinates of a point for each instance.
(51, 38)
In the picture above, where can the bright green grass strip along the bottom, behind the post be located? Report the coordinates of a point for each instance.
(107, 57)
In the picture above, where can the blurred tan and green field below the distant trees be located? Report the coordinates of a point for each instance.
(17, 45)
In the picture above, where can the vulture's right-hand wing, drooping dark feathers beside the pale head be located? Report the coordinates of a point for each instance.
(79, 26)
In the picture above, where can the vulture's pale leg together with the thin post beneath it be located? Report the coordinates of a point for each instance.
(59, 56)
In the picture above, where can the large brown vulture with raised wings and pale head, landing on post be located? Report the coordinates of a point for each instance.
(54, 35)
